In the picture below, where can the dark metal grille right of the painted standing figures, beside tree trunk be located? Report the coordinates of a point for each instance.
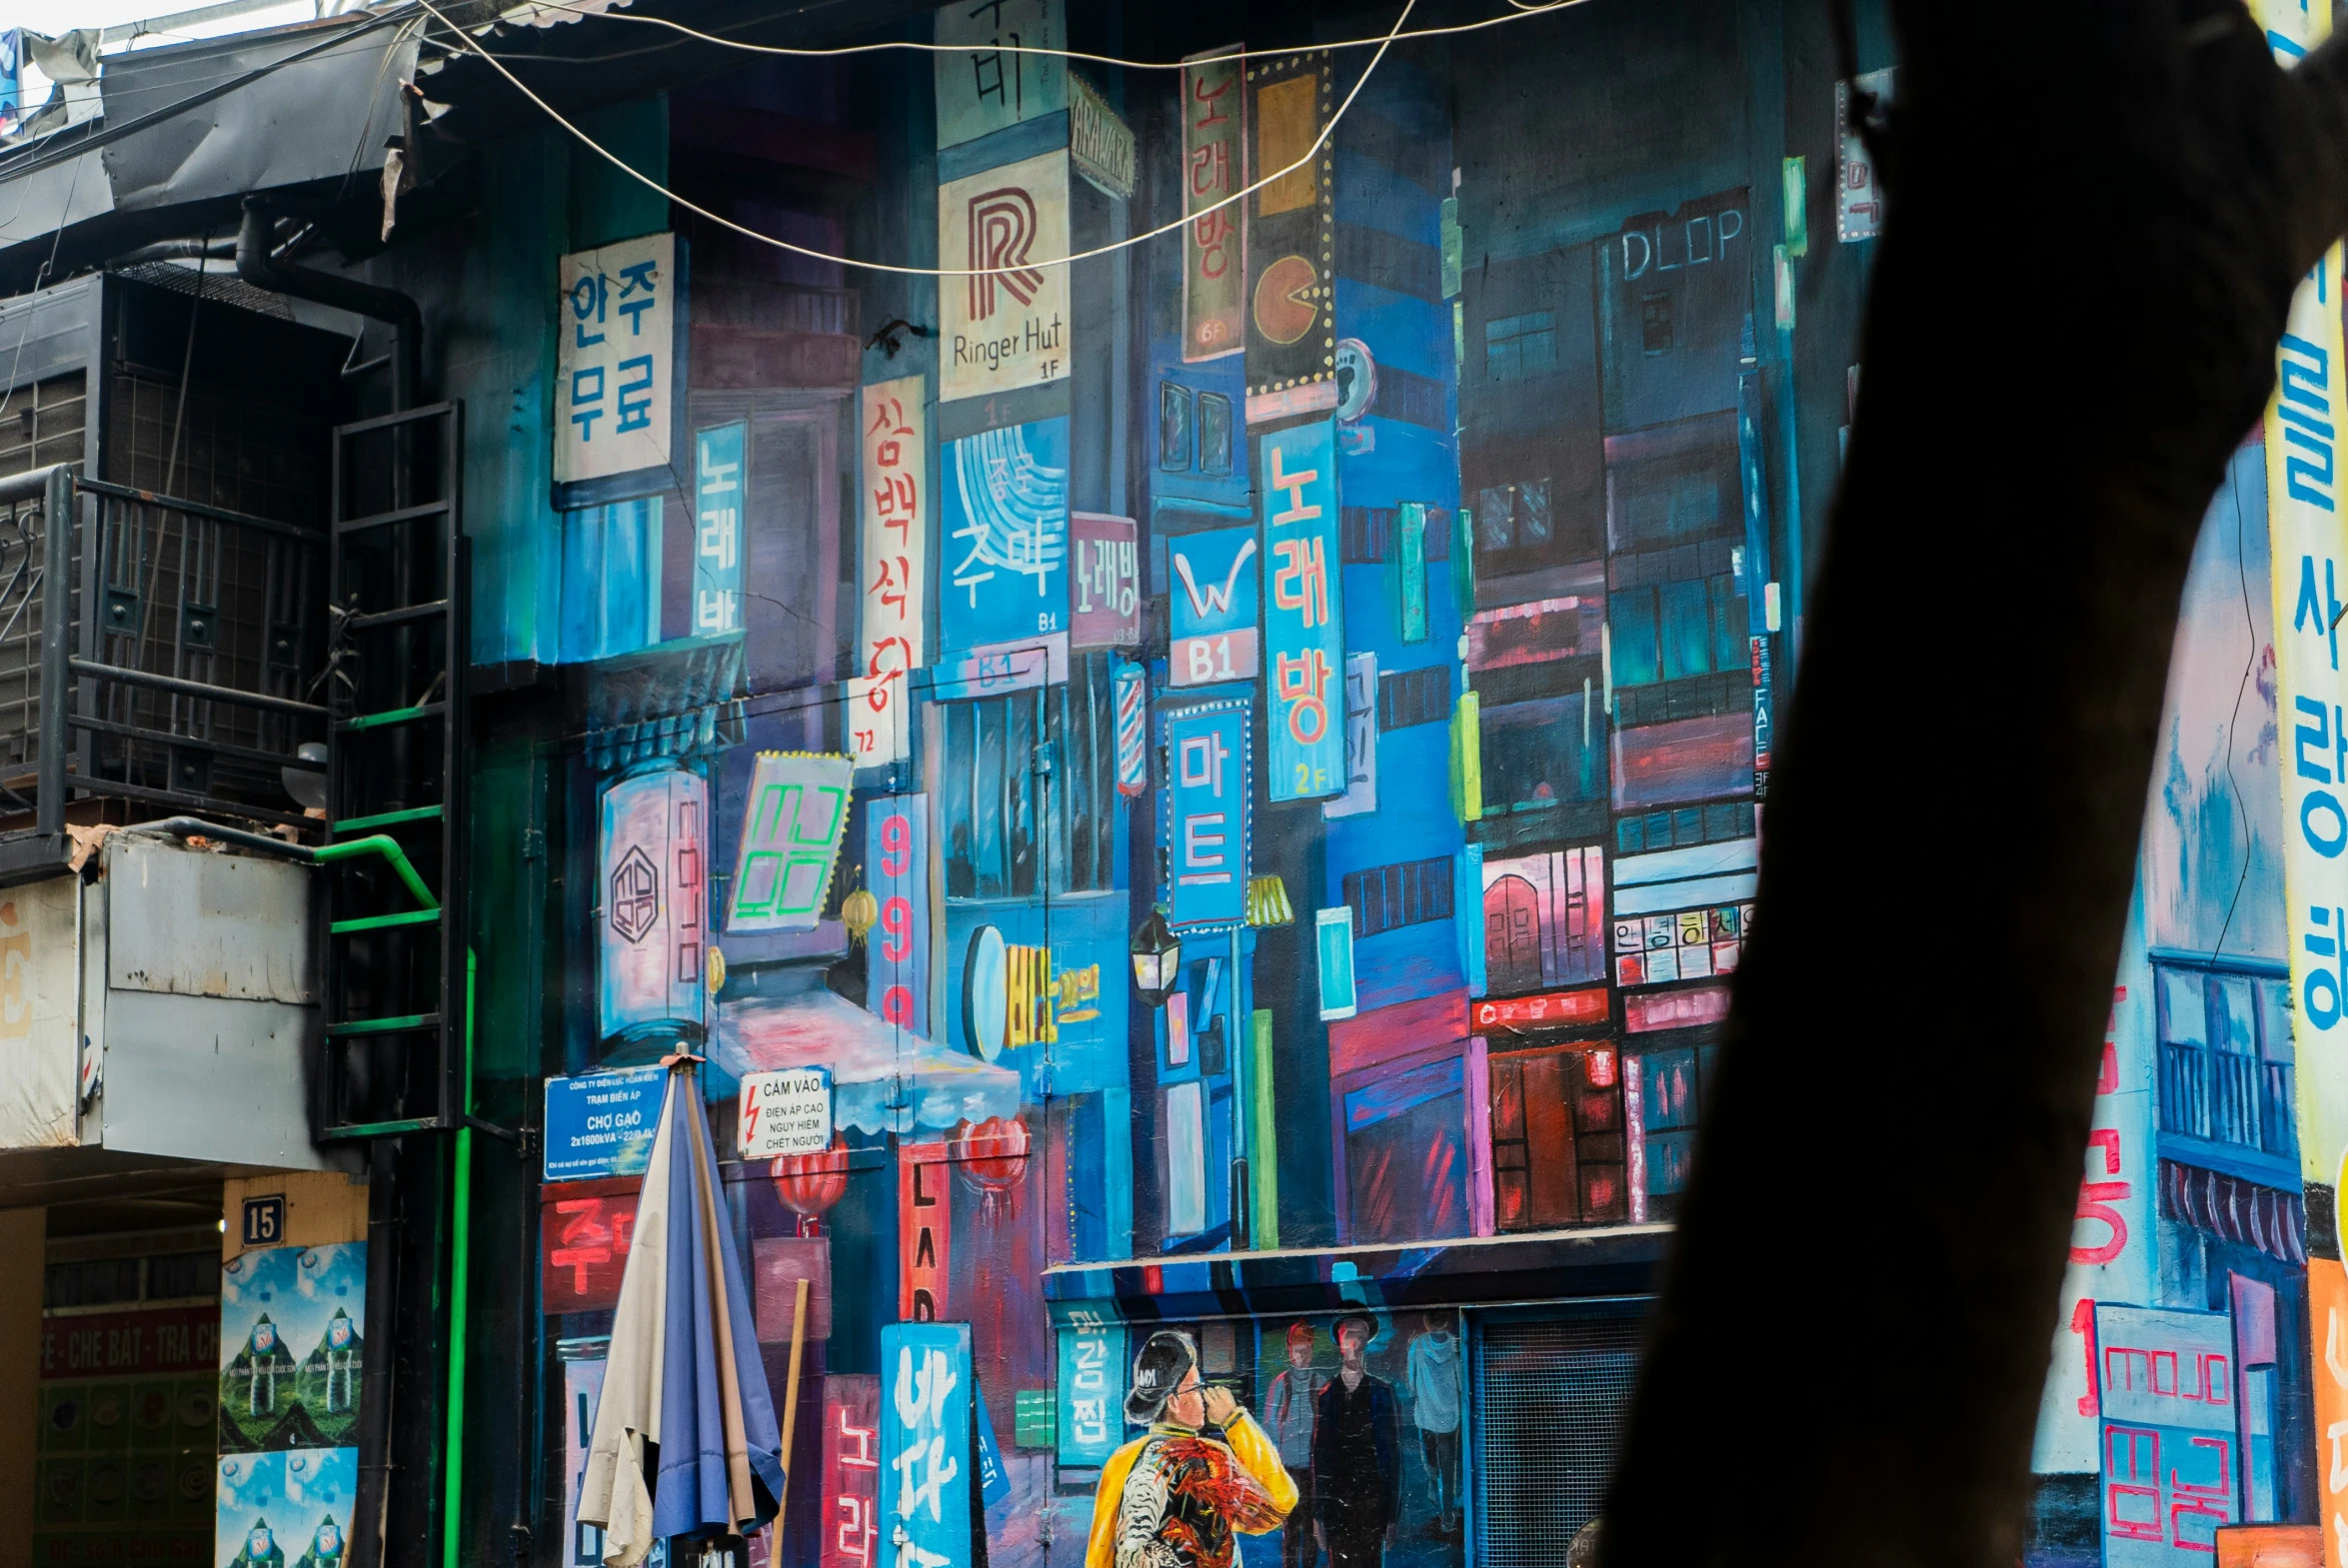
(1551, 1405)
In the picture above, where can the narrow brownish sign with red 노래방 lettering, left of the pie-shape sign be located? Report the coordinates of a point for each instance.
(1215, 248)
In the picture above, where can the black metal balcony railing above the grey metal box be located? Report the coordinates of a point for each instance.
(156, 651)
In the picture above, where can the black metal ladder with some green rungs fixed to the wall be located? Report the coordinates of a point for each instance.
(398, 999)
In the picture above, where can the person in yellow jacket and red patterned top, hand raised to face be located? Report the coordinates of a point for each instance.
(1175, 1496)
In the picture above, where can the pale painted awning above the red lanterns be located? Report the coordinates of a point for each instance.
(884, 1079)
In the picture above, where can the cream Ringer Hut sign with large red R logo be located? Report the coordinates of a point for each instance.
(1006, 325)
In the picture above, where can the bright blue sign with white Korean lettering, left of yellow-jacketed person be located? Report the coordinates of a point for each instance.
(926, 1454)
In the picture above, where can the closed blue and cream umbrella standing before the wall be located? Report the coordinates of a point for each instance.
(684, 1433)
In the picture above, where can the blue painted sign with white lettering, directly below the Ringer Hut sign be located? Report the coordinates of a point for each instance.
(1006, 511)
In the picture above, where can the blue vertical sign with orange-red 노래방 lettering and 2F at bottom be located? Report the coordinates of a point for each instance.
(1302, 611)
